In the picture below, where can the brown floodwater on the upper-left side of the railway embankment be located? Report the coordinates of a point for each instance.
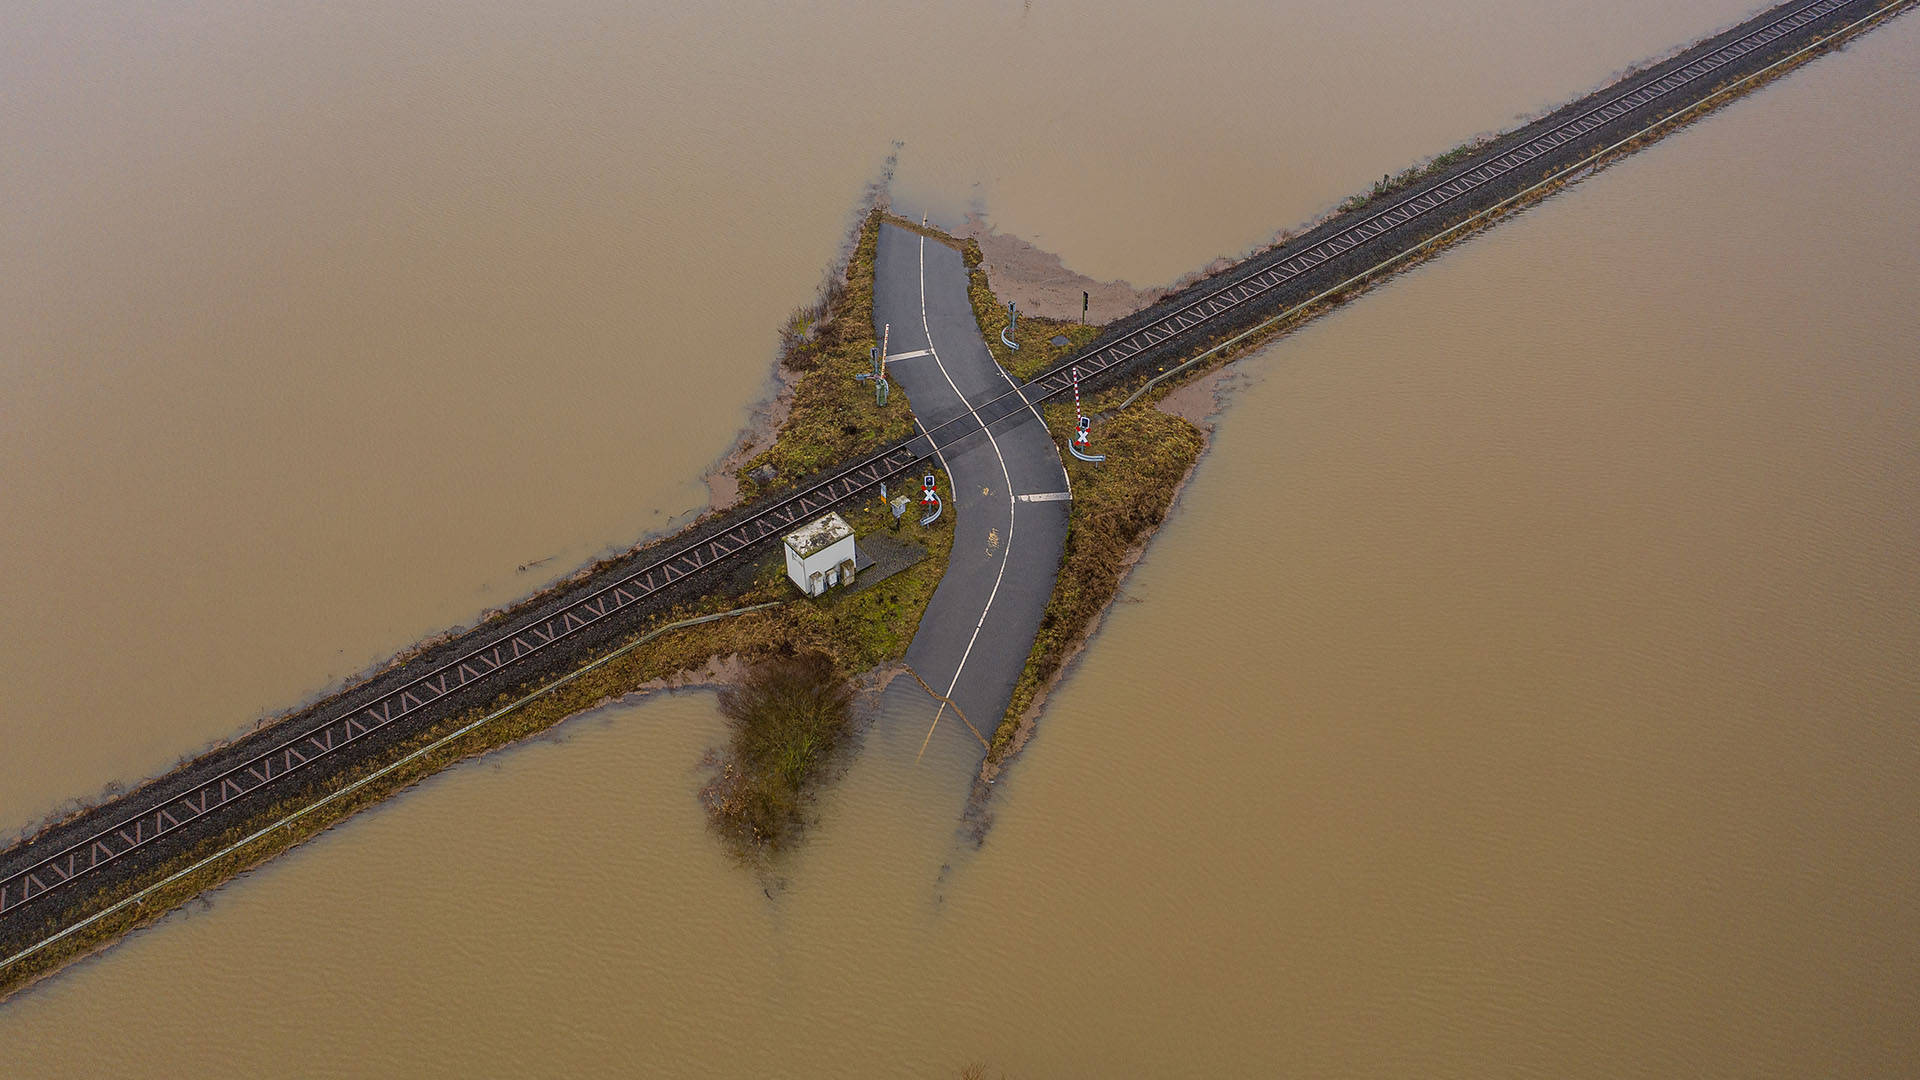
(322, 320)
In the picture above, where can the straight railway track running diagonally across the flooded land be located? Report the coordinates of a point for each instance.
(1188, 318)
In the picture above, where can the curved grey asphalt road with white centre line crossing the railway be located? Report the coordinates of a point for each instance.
(1009, 501)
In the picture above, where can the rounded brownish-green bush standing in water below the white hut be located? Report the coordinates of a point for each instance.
(790, 714)
